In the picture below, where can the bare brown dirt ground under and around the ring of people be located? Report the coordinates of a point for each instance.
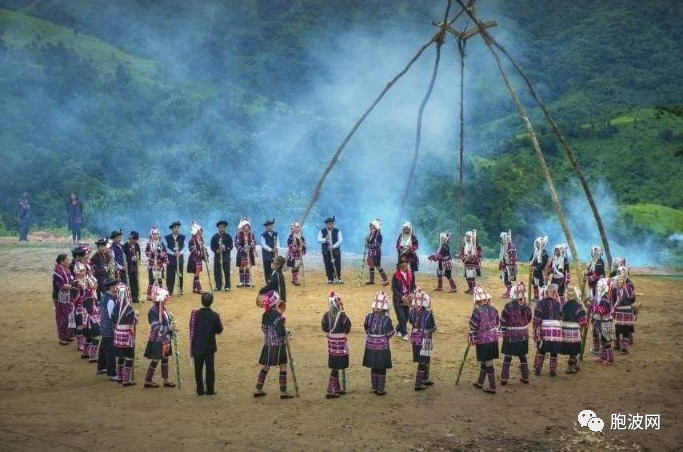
(52, 399)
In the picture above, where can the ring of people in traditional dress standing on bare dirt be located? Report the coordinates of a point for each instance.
(94, 296)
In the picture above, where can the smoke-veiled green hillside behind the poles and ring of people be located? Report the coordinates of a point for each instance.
(154, 111)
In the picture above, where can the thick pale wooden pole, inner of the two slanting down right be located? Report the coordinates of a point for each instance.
(534, 140)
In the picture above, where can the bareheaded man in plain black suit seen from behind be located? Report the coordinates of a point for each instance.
(204, 325)
